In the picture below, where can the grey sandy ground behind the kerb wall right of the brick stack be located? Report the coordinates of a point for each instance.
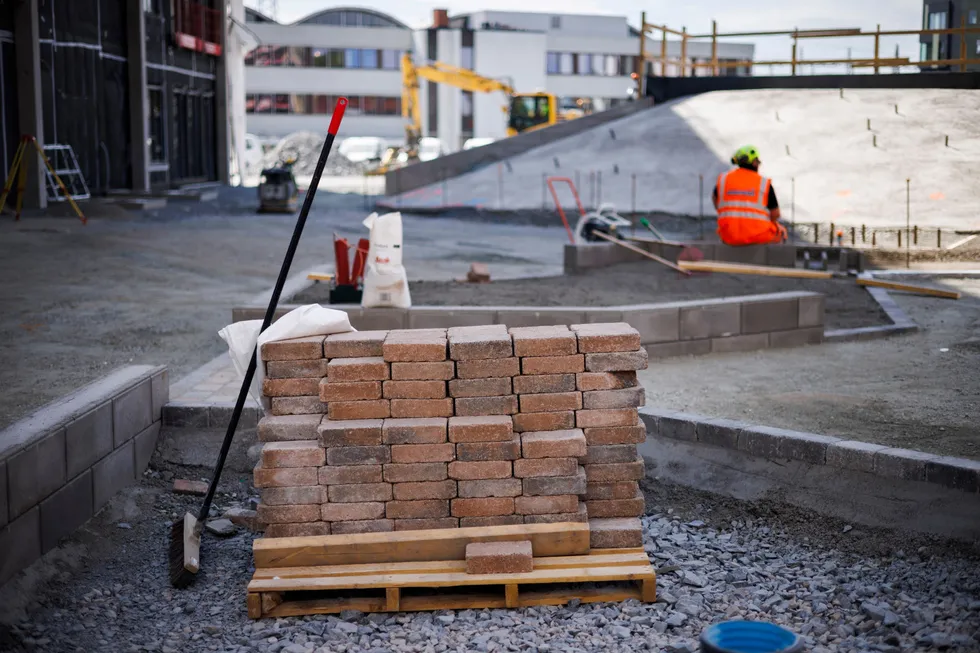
(918, 391)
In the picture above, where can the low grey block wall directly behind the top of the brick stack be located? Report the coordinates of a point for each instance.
(786, 319)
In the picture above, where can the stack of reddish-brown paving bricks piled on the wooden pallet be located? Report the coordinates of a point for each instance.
(443, 428)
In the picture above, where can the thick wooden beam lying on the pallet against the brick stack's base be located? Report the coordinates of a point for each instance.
(547, 540)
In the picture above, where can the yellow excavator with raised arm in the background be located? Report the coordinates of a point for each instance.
(525, 111)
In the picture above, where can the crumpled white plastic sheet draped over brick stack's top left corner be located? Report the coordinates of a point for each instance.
(308, 320)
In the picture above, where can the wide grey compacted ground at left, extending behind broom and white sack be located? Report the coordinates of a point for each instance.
(156, 287)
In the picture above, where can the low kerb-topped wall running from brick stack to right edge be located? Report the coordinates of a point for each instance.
(868, 483)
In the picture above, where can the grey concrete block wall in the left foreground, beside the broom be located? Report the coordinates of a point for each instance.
(62, 464)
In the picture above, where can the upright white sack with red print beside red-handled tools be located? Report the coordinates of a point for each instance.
(385, 281)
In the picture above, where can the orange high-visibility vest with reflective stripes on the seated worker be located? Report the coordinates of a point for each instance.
(743, 218)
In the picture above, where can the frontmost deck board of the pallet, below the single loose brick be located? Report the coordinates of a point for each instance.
(382, 581)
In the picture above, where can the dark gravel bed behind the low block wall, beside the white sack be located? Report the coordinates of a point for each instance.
(848, 305)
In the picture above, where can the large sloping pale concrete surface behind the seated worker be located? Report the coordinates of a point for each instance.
(666, 159)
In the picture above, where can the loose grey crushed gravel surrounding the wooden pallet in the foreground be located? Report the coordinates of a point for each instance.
(844, 588)
